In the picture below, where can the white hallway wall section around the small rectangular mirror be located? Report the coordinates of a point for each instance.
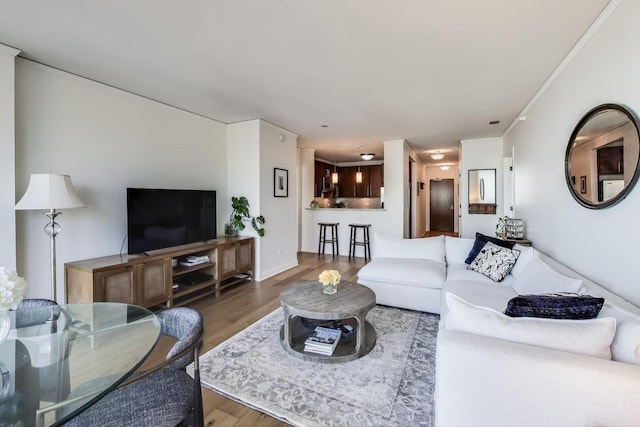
(484, 153)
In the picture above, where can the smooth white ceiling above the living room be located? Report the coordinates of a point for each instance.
(428, 71)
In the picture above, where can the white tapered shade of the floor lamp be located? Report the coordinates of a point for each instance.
(49, 191)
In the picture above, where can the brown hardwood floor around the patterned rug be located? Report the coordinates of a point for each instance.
(239, 307)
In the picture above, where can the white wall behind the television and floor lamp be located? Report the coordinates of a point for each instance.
(107, 140)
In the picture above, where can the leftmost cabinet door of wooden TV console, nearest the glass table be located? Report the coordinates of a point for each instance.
(116, 285)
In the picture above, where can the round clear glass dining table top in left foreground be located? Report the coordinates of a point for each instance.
(56, 361)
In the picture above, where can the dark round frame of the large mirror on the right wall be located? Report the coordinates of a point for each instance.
(567, 158)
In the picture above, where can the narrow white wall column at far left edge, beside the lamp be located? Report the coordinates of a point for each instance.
(7, 164)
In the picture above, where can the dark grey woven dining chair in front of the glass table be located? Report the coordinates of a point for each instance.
(163, 396)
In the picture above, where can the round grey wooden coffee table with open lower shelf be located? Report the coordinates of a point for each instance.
(306, 300)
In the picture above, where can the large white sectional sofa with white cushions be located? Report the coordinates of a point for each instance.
(492, 369)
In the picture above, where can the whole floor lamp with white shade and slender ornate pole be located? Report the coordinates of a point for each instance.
(52, 192)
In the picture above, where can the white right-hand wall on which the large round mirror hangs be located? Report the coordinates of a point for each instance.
(600, 244)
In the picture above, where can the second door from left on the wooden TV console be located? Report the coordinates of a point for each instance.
(154, 286)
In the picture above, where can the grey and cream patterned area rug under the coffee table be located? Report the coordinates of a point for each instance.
(390, 386)
